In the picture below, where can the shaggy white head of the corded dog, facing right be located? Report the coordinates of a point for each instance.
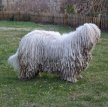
(89, 34)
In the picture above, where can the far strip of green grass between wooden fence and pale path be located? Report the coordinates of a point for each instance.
(31, 26)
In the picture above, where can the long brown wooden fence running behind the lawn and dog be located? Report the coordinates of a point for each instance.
(72, 20)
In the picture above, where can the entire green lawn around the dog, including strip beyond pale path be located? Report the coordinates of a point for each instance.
(49, 90)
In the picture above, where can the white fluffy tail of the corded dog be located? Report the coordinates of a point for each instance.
(13, 61)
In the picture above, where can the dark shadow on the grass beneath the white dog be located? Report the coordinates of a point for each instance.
(40, 80)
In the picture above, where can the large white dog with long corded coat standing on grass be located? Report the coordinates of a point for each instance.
(48, 51)
